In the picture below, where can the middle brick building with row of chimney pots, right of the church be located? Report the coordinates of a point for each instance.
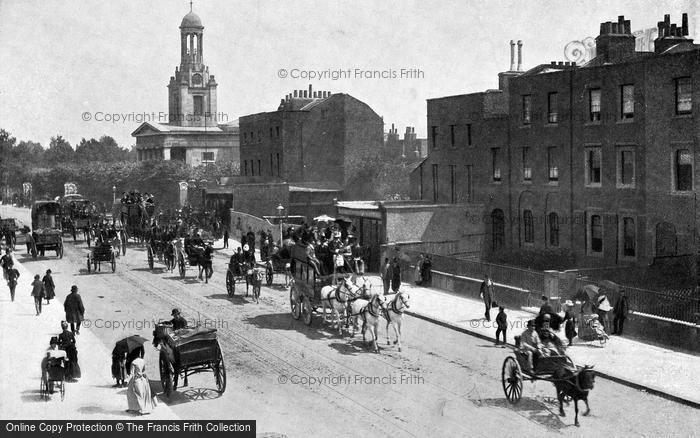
(314, 139)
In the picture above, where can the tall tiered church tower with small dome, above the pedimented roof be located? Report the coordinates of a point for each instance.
(192, 90)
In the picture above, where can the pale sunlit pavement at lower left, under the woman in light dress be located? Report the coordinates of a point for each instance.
(24, 342)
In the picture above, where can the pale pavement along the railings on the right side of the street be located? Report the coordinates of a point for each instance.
(664, 372)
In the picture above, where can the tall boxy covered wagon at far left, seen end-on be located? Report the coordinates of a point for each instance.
(46, 228)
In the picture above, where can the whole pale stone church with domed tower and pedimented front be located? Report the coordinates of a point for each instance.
(192, 131)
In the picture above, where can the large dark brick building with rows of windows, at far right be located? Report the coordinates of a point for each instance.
(597, 161)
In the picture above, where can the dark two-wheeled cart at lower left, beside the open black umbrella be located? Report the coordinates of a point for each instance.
(186, 352)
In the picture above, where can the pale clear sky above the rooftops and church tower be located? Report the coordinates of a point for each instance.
(62, 59)
